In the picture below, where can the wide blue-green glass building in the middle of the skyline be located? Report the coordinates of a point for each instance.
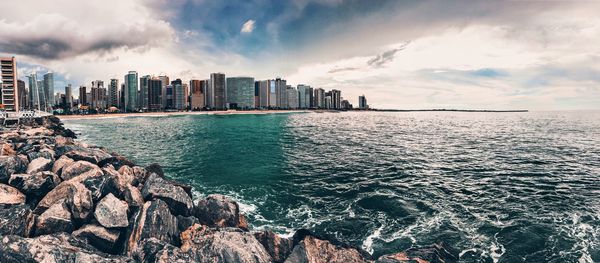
(240, 92)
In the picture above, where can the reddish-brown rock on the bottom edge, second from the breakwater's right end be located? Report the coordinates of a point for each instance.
(314, 250)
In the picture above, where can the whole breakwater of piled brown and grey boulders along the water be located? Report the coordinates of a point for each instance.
(65, 201)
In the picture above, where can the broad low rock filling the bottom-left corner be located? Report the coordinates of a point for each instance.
(58, 247)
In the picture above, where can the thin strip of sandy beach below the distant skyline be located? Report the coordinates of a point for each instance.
(158, 114)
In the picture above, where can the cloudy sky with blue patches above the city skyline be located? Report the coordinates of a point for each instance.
(401, 54)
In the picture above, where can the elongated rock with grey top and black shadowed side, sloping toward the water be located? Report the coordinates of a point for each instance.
(177, 199)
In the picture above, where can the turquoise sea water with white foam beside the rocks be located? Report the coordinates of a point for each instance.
(509, 187)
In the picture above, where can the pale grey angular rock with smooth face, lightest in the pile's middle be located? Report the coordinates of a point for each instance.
(112, 212)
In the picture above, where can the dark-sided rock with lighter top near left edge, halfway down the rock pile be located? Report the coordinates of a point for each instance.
(34, 185)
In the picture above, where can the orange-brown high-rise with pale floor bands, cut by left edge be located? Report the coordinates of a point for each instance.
(9, 92)
